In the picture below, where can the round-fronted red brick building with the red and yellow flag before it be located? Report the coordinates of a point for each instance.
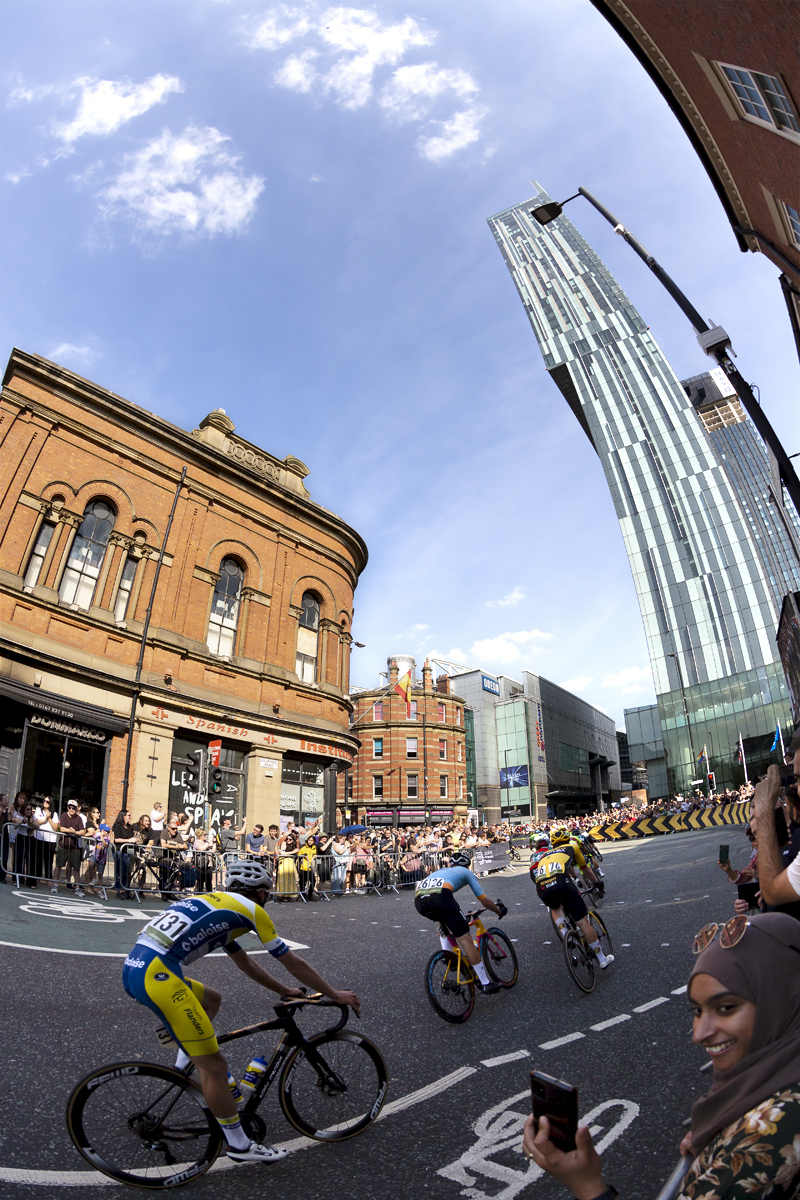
(412, 766)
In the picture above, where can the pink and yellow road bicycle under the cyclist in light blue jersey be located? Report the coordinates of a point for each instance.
(450, 980)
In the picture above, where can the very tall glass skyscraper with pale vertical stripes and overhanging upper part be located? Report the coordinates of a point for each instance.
(705, 590)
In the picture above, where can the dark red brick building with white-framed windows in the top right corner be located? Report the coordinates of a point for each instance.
(730, 70)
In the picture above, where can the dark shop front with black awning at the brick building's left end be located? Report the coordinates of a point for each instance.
(55, 747)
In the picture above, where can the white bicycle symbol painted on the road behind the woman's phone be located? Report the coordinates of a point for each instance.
(500, 1130)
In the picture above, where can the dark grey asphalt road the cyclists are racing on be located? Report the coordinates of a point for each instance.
(459, 1095)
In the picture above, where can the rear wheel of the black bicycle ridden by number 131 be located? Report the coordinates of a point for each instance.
(145, 1125)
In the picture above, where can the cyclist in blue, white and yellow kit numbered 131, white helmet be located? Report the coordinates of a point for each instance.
(188, 931)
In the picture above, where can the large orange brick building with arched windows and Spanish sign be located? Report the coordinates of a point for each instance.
(249, 638)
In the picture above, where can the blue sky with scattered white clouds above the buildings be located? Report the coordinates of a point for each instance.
(281, 211)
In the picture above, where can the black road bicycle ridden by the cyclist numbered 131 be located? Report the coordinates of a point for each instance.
(148, 1125)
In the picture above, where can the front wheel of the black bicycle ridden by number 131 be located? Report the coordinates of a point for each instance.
(335, 1087)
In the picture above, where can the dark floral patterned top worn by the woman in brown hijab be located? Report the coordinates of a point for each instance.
(759, 1156)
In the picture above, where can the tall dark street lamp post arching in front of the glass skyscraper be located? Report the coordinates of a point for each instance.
(714, 340)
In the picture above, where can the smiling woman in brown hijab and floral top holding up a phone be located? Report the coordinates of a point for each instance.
(745, 1136)
